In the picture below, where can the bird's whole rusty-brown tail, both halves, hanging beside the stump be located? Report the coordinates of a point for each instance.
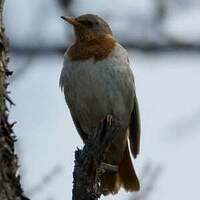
(126, 177)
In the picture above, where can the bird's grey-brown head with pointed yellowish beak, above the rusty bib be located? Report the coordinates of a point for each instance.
(88, 27)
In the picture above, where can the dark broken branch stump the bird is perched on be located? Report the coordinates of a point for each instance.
(89, 165)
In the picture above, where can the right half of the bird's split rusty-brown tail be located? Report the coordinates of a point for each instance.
(127, 173)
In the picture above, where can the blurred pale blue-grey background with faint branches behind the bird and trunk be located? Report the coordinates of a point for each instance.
(163, 41)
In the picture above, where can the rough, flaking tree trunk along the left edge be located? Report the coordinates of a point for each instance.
(10, 188)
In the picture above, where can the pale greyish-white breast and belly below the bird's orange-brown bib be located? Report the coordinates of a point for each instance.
(95, 89)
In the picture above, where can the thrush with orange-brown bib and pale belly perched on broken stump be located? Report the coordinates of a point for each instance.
(98, 82)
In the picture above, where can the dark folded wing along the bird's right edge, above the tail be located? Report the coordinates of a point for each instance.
(135, 129)
